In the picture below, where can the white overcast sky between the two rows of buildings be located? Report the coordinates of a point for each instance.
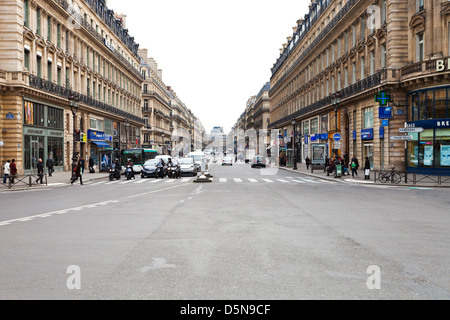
(214, 54)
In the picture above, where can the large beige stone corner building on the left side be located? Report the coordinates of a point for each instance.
(51, 50)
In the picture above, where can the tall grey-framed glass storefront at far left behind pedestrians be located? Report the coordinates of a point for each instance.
(43, 136)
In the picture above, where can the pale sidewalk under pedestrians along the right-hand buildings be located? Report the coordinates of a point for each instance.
(359, 179)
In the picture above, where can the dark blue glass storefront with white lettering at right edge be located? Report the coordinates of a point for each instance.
(429, 119)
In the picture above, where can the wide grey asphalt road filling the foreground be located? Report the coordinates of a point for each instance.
(251, 234)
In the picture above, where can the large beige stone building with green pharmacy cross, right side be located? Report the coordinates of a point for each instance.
(343, 55)
